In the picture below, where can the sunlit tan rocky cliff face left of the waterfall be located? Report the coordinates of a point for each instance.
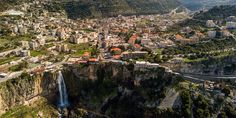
(26, 89)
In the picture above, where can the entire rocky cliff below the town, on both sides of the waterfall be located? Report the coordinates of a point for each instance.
(95, 90)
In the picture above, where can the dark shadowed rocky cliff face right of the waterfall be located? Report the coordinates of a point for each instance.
(117, 90)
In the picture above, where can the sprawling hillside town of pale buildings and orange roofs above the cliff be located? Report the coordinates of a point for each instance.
(45, 41)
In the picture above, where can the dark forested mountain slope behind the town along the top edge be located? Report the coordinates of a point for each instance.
(102, 8)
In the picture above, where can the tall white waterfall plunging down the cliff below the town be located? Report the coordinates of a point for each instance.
(62, 90)
